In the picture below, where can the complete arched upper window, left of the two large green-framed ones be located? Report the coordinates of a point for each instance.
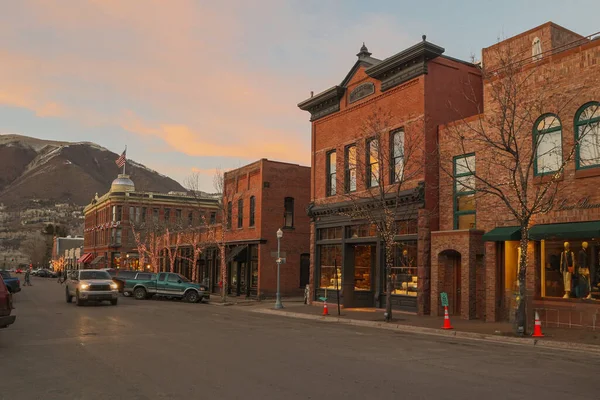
(547, 142)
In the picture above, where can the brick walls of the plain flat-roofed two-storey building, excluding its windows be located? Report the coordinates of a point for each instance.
(270, 183)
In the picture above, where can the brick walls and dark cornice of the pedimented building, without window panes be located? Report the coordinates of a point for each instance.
(414, 87)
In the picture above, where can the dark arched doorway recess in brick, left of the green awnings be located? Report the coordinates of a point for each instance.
(450, 279)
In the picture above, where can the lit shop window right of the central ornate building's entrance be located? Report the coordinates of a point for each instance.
(404, 271)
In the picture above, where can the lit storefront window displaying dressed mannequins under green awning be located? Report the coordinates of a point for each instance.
(570, 268)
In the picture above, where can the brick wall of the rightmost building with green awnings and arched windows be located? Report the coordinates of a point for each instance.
(566, 77)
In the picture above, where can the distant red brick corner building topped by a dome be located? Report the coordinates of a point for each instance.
(108, 238)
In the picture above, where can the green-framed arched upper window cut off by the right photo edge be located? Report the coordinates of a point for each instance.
(587, 135)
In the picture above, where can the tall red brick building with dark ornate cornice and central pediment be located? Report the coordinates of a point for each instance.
(415, 87)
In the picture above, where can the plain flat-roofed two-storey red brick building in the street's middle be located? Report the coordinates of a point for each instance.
(259, 199)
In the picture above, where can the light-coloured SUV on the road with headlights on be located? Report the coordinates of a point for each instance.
(91, 285)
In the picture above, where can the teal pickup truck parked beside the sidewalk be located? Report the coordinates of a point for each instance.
(166, 284)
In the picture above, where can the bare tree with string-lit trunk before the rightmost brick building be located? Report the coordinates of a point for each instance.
(516, 172)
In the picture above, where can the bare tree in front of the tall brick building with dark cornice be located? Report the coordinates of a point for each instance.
(393, 164)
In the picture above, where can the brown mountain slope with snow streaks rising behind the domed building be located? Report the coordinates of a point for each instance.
(61, 172)
